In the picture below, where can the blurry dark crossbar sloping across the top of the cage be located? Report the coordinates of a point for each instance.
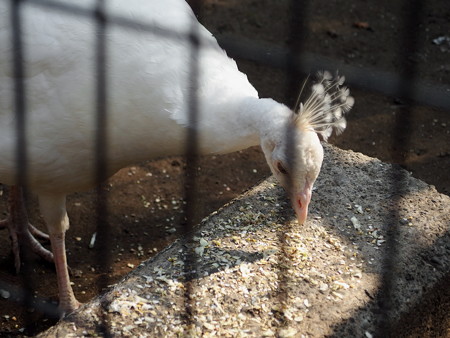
(275, 56)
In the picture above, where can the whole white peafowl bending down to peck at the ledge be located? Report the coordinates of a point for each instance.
(148, 84)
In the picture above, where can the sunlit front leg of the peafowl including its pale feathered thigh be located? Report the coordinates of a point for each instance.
(53, 209)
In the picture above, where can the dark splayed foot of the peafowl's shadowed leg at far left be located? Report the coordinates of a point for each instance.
(25, 236)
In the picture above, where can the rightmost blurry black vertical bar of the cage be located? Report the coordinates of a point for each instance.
(401, 140)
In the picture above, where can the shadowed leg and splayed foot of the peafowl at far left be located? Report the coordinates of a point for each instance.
(21, 231)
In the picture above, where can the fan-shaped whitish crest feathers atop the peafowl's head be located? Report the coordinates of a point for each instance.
(324, 109)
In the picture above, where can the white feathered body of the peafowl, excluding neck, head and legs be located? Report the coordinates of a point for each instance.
(148, 91)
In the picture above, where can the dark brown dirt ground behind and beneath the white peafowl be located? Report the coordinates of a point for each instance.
(145, 202)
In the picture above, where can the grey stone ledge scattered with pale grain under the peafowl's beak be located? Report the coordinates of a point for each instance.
(253, 271)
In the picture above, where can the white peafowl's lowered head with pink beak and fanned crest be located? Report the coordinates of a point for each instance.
(296, 156)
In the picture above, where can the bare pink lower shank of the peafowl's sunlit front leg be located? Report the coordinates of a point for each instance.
(67, 300)
